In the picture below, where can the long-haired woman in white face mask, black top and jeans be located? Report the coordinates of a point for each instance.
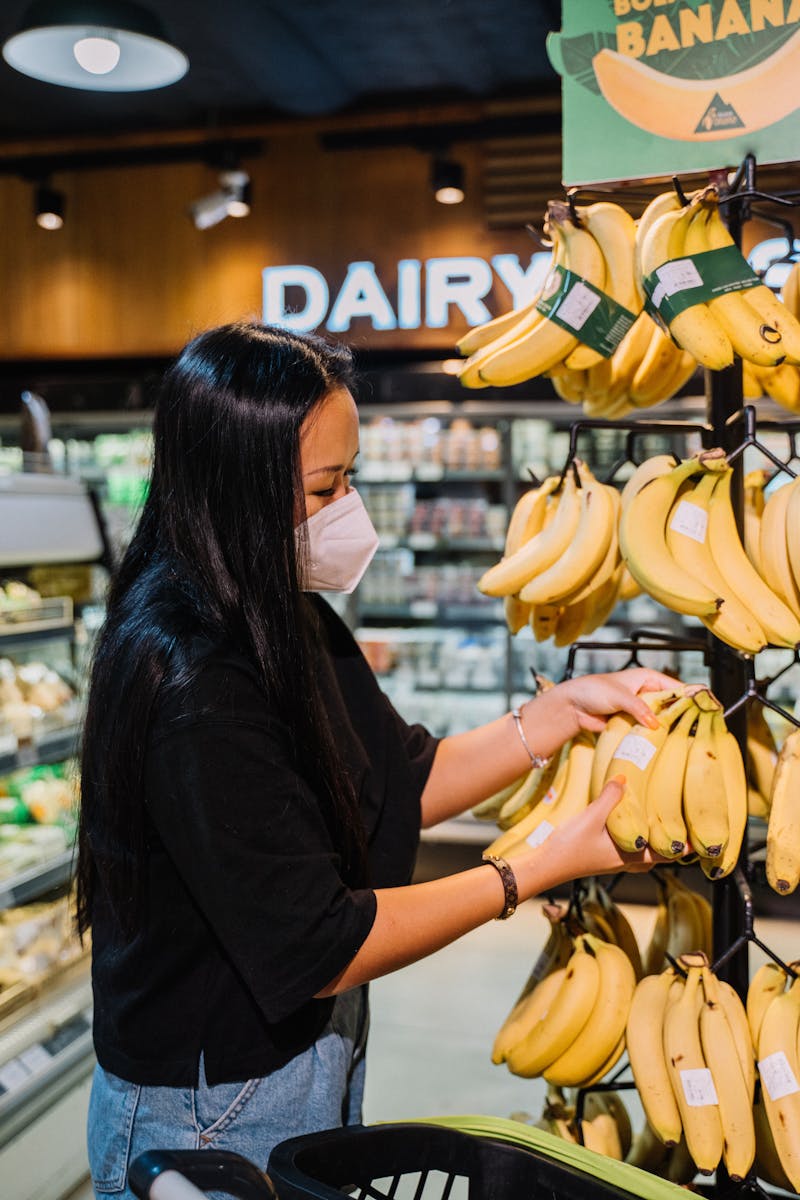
(251, 801)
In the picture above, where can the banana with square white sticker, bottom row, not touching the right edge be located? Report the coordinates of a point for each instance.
(699, 1106)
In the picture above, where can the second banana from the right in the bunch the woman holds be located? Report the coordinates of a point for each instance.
(706, 808)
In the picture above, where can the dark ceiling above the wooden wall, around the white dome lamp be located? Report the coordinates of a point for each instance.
(266, 59)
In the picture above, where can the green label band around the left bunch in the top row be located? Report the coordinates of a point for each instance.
(584, 310)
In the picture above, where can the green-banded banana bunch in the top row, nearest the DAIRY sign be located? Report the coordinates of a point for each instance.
(525, 344)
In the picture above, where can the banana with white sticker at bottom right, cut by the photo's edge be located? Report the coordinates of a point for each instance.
(778, 1047)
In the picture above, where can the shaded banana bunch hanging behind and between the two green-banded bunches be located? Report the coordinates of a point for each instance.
(647, 369)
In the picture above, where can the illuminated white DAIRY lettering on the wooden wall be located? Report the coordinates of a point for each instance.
(299, 298)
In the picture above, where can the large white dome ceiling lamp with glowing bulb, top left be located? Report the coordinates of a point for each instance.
(95, 45)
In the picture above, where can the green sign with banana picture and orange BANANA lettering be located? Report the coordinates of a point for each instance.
(661, 87)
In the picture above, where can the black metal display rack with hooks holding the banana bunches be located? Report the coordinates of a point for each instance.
(733, 427)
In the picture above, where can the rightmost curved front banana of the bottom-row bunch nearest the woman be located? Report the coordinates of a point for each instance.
(603, 1031)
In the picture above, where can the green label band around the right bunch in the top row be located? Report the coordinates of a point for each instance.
(683, 283)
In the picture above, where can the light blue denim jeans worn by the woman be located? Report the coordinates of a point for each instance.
(321, 1089)
